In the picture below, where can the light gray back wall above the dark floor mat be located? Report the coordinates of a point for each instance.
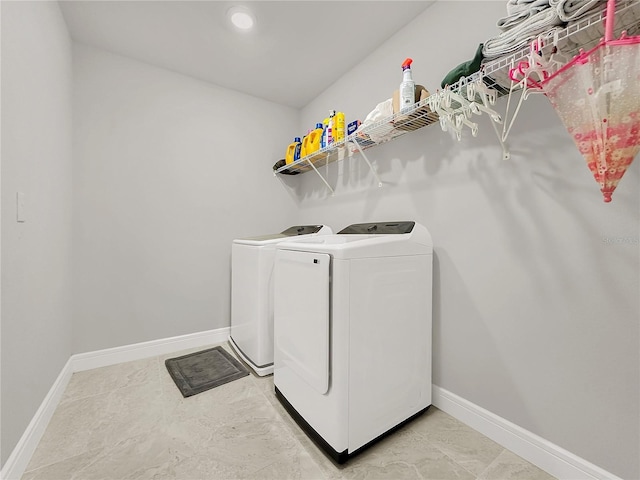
(168, 170)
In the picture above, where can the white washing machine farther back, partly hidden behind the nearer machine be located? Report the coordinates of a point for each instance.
(252, 260)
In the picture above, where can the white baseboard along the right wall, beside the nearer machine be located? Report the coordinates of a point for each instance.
(551, 458)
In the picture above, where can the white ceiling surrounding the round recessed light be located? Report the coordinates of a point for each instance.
(296, 50)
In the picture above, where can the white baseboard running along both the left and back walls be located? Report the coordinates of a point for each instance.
(17, 462)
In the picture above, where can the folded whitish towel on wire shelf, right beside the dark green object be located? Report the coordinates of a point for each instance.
(521, 35)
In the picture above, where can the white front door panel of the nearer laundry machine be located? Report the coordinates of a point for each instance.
(301, 315)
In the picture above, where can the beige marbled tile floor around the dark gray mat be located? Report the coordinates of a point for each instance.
(129, 421)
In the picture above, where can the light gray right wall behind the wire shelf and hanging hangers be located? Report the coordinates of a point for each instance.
(536, 279)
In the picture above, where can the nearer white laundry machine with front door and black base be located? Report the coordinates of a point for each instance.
(352, 331)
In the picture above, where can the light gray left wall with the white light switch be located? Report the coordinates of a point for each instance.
(36, 160)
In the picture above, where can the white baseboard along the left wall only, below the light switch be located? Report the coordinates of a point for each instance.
(17, 462)
